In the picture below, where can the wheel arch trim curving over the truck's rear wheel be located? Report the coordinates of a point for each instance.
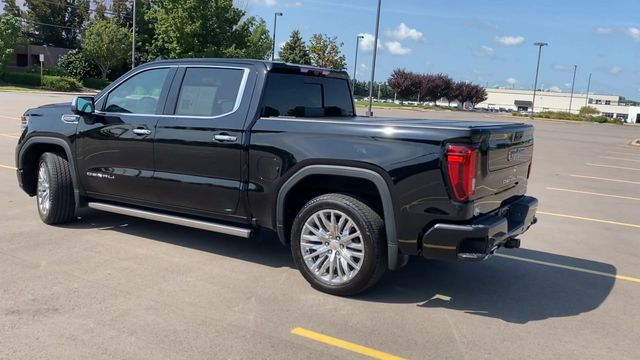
(349, 172)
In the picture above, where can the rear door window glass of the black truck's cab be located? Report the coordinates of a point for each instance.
(209, 91)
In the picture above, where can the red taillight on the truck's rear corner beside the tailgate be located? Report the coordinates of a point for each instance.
(462, 164)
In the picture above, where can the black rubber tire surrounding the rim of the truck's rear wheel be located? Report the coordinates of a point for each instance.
(373, 240)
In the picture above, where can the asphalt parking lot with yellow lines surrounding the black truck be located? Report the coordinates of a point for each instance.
(110, 286)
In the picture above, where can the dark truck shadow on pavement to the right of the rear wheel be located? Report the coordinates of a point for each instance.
(509, 289)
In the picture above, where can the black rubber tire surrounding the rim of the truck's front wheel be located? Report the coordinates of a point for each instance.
(62, 206)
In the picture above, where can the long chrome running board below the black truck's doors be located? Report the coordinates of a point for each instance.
(172, 219)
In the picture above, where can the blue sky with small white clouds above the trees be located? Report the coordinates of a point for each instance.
(487, 42)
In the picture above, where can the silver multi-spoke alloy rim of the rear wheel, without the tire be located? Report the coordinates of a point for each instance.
(332, 246)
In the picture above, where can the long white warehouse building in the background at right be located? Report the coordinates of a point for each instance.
(521, 100)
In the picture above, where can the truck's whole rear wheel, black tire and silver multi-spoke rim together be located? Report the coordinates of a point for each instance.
(338, 244)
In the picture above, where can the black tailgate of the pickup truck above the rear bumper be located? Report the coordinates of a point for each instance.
(506, 154)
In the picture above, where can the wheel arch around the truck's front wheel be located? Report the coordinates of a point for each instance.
(29, 156)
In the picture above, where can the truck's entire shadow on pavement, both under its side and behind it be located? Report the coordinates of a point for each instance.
(512, 290)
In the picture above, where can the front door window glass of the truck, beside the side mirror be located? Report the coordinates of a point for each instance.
(139, 94)
